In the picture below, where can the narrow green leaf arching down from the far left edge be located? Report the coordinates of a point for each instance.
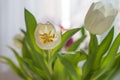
(14, 67)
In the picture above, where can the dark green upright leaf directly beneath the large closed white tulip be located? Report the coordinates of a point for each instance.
(87, 67)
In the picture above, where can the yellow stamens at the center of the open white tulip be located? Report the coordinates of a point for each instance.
(47, 37)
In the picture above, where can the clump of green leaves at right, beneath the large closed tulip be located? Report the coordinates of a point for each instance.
(102, 63)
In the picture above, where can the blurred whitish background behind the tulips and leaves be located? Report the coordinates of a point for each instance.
(12, 20)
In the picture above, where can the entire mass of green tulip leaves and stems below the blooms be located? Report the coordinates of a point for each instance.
(102, 60)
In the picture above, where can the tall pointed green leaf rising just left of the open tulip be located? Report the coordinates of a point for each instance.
(30, 27)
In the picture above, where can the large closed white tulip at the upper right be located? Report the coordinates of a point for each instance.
(100, 17)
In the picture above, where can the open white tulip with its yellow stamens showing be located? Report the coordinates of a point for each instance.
(46, 36)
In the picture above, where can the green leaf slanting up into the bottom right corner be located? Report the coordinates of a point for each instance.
(109, 71)
